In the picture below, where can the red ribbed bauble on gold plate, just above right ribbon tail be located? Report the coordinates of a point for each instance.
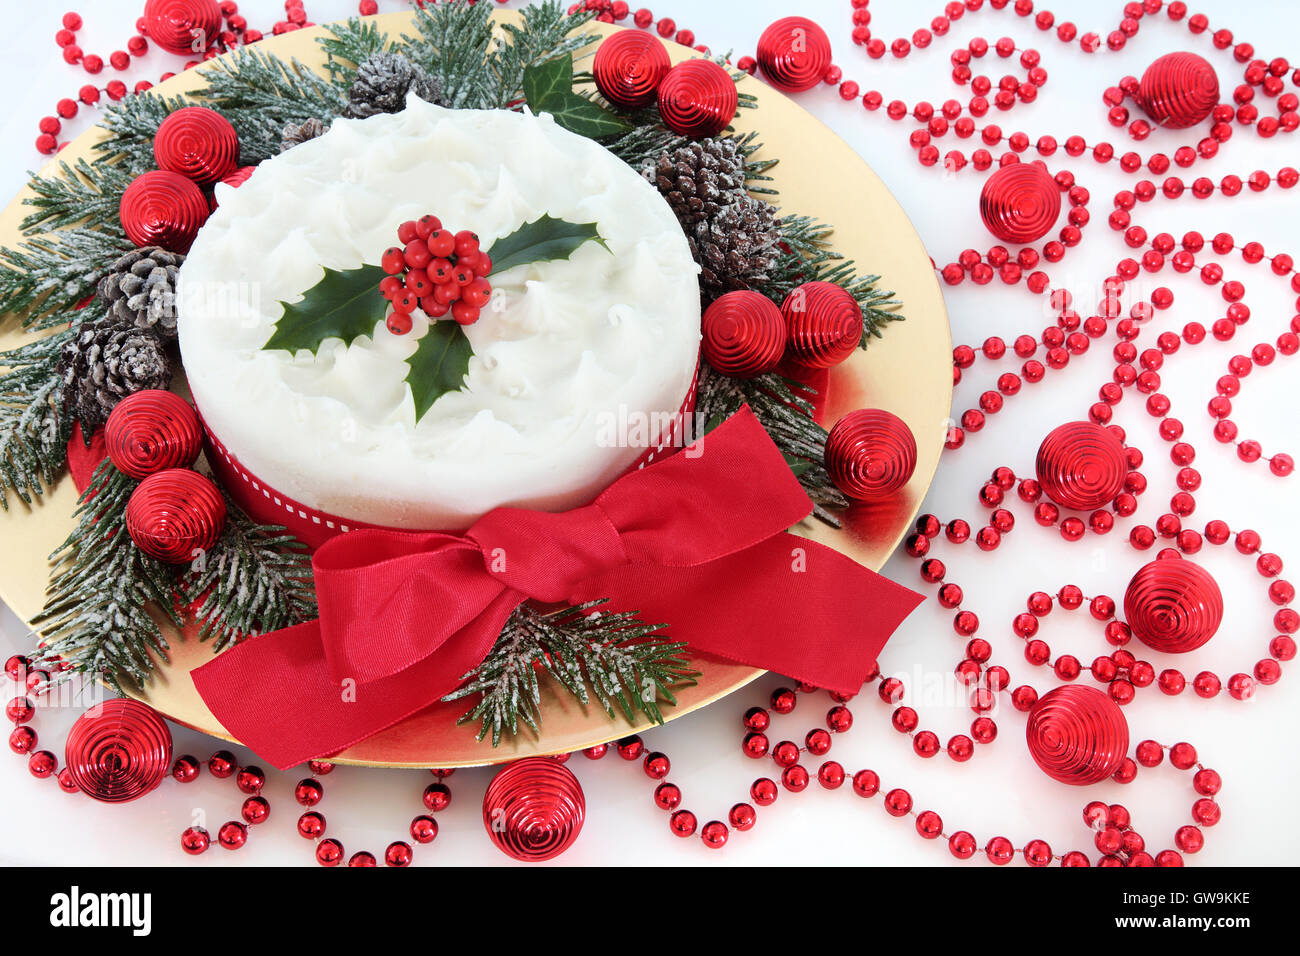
(870, 455)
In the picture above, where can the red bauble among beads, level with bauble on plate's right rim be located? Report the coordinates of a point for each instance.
(1082, 466)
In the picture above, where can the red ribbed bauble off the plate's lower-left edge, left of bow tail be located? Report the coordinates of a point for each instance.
(119, 751)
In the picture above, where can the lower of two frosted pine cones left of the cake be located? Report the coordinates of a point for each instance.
(103, 364)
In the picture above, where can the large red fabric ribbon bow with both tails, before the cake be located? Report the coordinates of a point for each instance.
(696, 540)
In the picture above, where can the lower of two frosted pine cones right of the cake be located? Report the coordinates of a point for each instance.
(736, 248)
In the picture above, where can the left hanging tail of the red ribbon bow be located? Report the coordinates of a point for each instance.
(275, 694)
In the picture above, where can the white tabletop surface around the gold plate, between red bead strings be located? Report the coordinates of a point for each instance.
(1000, 791)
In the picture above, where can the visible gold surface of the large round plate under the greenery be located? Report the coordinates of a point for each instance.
(817, 167)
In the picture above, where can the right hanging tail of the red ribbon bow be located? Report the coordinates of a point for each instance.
(788, 605)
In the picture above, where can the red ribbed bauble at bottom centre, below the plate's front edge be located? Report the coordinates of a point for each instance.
(534, 810)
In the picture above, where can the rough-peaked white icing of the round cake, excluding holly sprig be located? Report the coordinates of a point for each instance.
(575, 373)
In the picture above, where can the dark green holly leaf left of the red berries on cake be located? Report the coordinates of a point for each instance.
(344, 305)
